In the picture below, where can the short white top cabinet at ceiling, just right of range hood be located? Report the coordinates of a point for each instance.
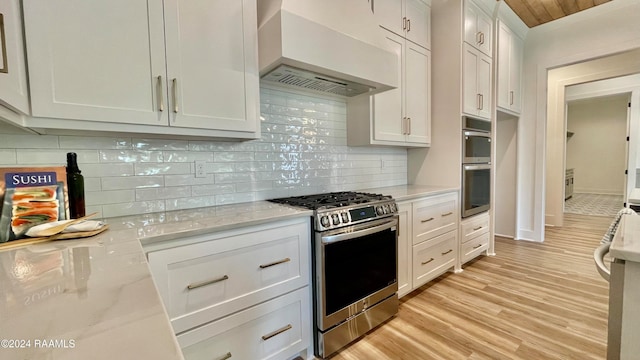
(407, 18)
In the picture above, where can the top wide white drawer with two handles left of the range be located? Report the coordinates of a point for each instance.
(207, 280)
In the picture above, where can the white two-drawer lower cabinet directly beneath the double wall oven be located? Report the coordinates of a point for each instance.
(474, 237)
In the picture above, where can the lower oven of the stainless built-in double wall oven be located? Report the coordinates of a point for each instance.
(476, 189)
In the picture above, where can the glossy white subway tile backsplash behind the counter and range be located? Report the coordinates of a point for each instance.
(302, 151)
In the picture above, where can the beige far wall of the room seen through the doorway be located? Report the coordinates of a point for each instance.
(597, 150)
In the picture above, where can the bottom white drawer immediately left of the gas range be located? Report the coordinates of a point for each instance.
(276, 329)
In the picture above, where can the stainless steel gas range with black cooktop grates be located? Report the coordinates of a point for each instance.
(354, 264)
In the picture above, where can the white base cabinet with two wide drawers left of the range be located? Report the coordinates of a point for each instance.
(242, 292)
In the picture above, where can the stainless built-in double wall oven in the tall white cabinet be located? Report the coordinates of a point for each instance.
(476, 166)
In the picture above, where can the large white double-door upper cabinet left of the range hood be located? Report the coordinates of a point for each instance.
(187, 64)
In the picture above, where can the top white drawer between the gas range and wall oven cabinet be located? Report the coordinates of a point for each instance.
(435, 216)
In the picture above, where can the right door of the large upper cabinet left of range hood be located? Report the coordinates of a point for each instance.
(212, 64)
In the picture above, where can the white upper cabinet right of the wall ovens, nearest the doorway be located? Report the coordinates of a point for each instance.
(509, 91)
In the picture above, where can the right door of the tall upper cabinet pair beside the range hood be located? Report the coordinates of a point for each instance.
(418, 93)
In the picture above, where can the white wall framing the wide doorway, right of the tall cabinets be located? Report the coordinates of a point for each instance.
(602, 30)
